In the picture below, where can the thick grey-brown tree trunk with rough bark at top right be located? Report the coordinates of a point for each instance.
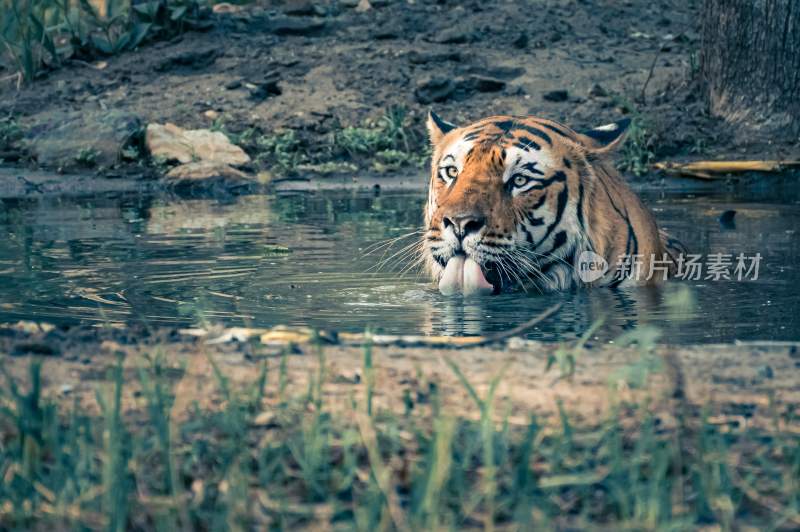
(750, 61)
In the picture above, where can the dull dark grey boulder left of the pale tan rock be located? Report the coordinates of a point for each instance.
(67, 140)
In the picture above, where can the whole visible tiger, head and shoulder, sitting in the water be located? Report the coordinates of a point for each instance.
(520, 202)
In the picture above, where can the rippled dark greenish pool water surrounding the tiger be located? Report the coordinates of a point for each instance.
(168, 261)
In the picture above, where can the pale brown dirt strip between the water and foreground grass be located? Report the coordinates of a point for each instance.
(741, 385)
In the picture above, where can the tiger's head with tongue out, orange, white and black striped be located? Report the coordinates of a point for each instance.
(506, 202)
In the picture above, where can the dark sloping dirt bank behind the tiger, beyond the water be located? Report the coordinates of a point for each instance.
(314, 67)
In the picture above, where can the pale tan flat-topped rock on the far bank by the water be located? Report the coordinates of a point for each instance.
(174, 143)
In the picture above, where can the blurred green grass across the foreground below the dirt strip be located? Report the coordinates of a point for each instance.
(309, 463)
